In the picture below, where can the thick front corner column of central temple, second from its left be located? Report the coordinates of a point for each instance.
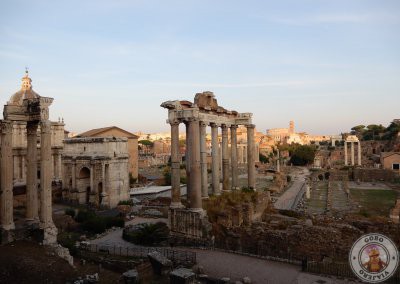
(195, 169)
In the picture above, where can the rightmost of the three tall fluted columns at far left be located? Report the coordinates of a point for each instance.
(45, 175)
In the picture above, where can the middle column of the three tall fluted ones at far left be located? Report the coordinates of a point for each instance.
(32, 209)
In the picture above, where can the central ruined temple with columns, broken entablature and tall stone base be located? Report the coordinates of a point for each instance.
(196, 116)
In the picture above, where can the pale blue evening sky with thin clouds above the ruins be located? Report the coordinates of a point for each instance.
(327, 65)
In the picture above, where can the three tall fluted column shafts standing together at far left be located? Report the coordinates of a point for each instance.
(6, 175)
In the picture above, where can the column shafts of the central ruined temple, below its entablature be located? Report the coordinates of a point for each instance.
(196, 161)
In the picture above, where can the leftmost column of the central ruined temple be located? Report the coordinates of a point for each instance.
(175, 167)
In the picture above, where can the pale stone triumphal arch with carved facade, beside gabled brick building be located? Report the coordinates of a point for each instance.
(96, 171)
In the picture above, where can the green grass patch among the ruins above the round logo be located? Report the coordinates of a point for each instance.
(374, 202)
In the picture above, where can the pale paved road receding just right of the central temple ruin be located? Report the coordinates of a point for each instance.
(287, 199)
